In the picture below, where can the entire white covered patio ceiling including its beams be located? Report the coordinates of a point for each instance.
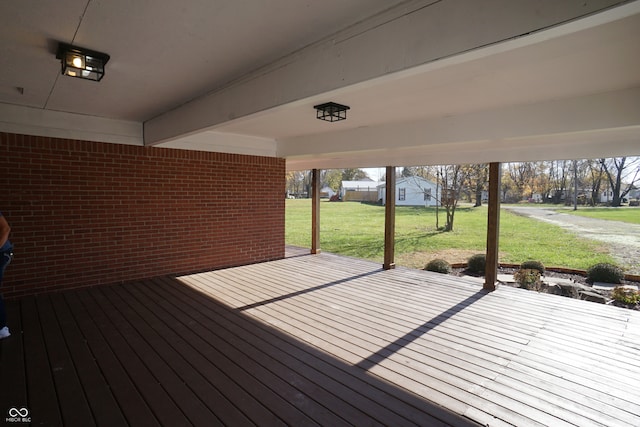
(428, 82)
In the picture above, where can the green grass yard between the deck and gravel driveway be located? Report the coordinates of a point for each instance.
(357, 230)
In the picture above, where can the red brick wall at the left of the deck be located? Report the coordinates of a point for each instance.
(86, 213)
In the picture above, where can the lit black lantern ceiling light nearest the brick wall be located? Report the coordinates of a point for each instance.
(81, 63)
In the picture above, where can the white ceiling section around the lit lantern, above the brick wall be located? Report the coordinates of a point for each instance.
(163, 53)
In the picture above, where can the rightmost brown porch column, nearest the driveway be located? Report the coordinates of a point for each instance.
(493, 227)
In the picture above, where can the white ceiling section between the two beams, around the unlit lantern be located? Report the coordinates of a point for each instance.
(593, 60)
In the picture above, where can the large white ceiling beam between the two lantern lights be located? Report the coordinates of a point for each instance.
(412, 34)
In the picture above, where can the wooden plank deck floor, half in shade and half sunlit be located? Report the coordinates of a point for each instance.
(318, 340)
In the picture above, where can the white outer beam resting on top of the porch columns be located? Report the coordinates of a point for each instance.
(599, 125)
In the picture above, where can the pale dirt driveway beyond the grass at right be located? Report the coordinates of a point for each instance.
(623, 239)
